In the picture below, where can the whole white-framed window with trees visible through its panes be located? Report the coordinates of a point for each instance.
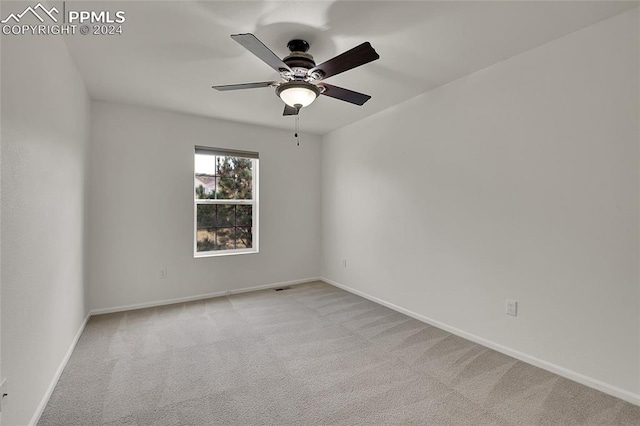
(225, 202)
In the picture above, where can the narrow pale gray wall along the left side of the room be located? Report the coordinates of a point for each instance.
(45, 133)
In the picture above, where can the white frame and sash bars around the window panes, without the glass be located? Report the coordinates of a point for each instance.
(253, 202)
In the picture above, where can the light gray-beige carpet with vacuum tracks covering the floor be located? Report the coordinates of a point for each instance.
(310, 355)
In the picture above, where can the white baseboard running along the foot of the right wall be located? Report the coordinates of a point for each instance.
(545, 365)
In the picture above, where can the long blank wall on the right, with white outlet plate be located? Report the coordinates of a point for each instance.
(519, 181)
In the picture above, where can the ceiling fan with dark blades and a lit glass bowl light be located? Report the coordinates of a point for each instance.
(302, 80)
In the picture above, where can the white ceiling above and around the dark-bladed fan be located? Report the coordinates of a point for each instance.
(172, 52)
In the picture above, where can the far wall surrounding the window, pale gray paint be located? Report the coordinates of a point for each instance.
(141, 207)
